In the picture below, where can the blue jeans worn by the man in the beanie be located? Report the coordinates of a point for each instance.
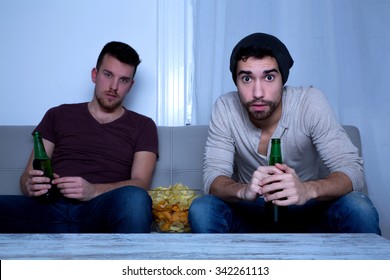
(351, 213)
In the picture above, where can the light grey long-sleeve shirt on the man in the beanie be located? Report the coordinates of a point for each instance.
(308, 130)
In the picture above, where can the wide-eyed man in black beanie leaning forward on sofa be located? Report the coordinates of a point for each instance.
(238, 179)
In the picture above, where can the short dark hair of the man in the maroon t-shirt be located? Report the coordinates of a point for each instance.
(121, 51)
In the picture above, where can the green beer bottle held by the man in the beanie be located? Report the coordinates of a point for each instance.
(276, 215)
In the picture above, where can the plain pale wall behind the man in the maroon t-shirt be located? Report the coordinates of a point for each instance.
(48, 49)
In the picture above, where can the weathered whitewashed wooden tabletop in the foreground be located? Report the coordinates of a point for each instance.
(194, 246)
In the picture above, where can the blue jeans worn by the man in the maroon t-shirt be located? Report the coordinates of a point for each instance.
(123, 210)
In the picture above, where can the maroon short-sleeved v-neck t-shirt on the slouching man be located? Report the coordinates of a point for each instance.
(99, 153)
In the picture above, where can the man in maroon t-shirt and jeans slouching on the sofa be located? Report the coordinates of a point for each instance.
(103, 157)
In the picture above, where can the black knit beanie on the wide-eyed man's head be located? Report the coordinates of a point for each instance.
(269, 43)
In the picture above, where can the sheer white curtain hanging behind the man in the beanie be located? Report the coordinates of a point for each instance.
(339, 46)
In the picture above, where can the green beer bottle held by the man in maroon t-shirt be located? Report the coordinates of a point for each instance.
(42, 162)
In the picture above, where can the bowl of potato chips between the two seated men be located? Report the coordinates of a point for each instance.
(170, 207)
